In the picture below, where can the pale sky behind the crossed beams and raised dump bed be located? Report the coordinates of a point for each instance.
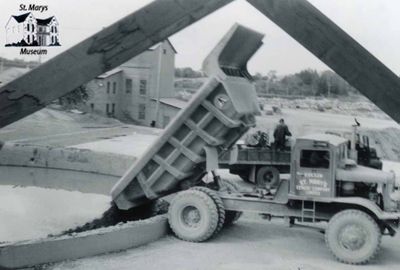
(375, 24)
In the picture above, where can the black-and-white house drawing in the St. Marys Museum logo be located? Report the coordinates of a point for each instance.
(26, 30)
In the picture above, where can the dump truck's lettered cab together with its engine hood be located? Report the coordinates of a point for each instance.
(321, 170)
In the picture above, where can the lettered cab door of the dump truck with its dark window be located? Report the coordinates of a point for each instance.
(313, 175)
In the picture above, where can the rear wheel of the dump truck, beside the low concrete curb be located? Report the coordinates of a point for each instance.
(193, 216)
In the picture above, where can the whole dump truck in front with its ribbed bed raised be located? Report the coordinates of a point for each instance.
(325, 185)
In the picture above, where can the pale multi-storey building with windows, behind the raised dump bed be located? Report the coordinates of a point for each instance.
(140, 90)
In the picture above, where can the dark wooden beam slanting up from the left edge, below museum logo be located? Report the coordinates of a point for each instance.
(99, 53)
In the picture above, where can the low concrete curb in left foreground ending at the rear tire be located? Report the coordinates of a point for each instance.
(85, 244)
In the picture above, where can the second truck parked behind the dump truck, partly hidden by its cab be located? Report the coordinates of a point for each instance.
(263, 165)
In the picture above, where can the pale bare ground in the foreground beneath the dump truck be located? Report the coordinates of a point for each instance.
(249, 244)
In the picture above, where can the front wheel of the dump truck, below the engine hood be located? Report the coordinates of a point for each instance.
(353, 237)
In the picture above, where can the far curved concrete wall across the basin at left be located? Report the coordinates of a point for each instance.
(61, 168)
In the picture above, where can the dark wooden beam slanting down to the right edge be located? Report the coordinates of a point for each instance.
(338, 50)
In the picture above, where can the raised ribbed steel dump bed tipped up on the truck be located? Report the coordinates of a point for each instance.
(216, 117)
